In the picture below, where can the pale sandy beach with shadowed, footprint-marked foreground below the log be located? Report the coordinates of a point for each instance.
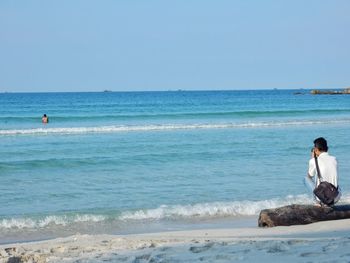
(327, 241)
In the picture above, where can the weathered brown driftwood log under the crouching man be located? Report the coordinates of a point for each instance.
(301, 215)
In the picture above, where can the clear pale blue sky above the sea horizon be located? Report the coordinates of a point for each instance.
(126, 45)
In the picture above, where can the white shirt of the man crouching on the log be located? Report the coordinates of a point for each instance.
(328, 168)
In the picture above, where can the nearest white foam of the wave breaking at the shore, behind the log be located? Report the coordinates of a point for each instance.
(201, 210)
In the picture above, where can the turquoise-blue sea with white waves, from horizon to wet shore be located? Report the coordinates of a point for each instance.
(120, 162)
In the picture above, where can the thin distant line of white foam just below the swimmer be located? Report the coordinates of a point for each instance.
(165, 127)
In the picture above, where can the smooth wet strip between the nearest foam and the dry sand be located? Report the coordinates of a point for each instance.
(25, 235)
